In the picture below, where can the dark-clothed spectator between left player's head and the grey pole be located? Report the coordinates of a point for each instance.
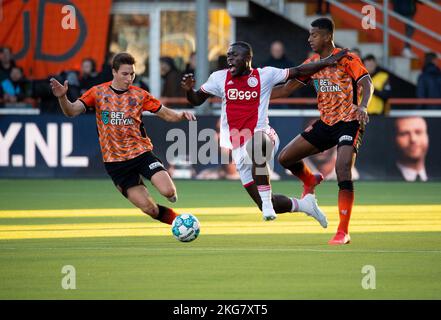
(171, 78)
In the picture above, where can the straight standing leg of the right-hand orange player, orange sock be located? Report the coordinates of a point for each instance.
(345, 161)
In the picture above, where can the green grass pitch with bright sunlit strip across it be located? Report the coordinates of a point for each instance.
(119, 253)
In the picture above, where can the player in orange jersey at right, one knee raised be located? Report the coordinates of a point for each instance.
(343, 117)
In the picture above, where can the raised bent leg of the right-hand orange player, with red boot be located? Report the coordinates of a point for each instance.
(291, 158)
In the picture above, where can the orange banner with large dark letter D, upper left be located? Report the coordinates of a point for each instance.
(49, 36)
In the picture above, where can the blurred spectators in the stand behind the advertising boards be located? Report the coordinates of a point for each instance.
(16, 90)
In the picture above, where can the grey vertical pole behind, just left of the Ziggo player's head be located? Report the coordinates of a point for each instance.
(202, 48)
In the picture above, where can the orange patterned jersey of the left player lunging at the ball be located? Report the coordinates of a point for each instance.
(121, 131)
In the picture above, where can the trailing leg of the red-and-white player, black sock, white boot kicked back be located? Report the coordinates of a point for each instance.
(284, 204)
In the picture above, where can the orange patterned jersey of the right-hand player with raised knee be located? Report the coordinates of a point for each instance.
(337, 87)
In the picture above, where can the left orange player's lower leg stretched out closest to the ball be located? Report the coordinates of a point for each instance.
(139, 196)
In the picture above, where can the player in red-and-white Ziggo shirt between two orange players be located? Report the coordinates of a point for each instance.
(245, 129)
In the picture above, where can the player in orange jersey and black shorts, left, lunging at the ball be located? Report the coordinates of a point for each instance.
(126, 149)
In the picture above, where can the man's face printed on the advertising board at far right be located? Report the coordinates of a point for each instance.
(412, 139)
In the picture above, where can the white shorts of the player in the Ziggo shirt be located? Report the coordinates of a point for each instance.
(244, 165)
